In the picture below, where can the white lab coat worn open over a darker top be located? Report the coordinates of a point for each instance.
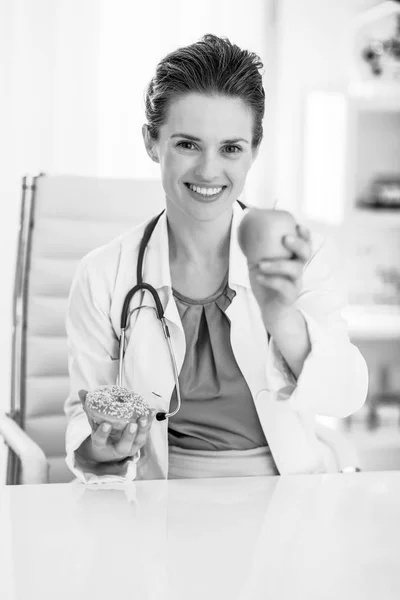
(333, 382)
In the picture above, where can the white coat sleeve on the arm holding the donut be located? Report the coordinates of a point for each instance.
(92, 361)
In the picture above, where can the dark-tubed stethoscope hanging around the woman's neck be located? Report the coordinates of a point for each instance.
(160, 416)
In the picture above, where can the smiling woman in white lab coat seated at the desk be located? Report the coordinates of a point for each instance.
(259, 356)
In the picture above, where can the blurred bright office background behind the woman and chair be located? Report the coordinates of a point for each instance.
(72, 80)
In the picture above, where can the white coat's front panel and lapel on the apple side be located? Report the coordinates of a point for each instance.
(270, 391)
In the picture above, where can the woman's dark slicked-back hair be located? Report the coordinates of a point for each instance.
(212, 66)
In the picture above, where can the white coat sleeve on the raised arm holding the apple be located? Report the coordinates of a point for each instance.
(334, 378)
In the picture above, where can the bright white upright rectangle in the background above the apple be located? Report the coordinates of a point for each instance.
(324, 157)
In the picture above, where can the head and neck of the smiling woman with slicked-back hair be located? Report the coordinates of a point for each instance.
(204, 127)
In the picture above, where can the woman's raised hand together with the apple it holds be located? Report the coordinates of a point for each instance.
(276, 249)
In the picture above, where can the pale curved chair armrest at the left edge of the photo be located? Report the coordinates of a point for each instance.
(35, 468)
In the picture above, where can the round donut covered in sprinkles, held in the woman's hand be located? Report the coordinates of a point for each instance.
(115, 404)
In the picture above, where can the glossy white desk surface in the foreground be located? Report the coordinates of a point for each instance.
(321, 537)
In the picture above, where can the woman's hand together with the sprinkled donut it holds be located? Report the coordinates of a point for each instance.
(118, 432)
